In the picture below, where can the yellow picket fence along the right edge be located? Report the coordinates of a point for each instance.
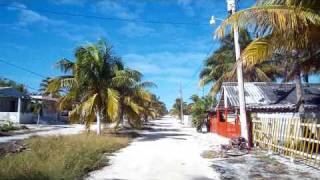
(288, 135)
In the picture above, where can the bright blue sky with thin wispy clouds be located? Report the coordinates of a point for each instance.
(166, 53)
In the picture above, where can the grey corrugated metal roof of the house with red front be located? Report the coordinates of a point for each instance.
(265, 95)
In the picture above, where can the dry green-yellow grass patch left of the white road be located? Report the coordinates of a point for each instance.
(60, 157)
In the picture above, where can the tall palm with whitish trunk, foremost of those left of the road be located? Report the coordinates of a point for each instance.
(89, 84)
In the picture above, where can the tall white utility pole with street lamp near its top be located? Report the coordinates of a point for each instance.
(231, 7)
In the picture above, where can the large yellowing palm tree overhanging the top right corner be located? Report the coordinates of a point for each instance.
(288, 27)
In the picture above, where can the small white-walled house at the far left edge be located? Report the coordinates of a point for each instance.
(14, 106)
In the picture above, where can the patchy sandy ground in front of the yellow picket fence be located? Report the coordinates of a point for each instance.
(257, 165)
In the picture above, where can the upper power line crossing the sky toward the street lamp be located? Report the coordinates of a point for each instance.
(106, 18)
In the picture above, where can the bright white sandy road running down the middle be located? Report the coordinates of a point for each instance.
(168, 152)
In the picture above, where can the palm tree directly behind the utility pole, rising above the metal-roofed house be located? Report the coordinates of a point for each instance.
(220, 66)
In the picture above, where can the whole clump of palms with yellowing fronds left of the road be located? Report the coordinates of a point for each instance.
(97, 86)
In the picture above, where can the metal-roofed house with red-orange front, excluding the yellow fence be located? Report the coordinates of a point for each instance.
(263, 99)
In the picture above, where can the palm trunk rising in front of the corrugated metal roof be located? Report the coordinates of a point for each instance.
(299, 88)
